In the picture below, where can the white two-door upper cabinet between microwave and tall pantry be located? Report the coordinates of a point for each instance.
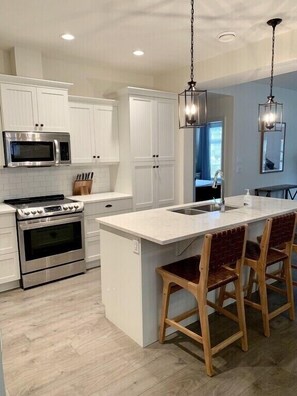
(94, 130)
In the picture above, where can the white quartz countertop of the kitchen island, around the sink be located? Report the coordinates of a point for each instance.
(163, 226)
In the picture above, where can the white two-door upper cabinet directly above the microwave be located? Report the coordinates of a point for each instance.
(29, 107)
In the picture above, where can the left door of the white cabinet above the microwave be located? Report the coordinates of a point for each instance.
(18, 107)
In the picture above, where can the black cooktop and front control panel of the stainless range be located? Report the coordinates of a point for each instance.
(44, 206)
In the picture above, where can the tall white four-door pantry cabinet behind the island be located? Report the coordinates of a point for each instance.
(147, 121)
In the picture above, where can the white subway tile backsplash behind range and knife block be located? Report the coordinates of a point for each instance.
(28, 182)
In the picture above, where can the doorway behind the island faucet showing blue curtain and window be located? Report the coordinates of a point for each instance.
(208, 158)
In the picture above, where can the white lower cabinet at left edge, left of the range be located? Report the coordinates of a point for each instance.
(9, 260)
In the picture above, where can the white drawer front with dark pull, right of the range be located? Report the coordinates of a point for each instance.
(108, 207)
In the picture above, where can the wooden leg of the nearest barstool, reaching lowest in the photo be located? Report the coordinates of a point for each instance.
(203, 314)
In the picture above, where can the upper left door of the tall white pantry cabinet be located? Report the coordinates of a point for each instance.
(143, 145)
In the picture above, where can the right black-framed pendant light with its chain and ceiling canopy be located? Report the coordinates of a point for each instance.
(271, 112)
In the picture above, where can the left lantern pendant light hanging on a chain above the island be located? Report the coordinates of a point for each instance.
(192, 102)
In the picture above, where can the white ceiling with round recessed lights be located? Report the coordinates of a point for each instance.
(107, 31)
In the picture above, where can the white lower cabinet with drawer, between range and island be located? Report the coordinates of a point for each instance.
(93, 210)
